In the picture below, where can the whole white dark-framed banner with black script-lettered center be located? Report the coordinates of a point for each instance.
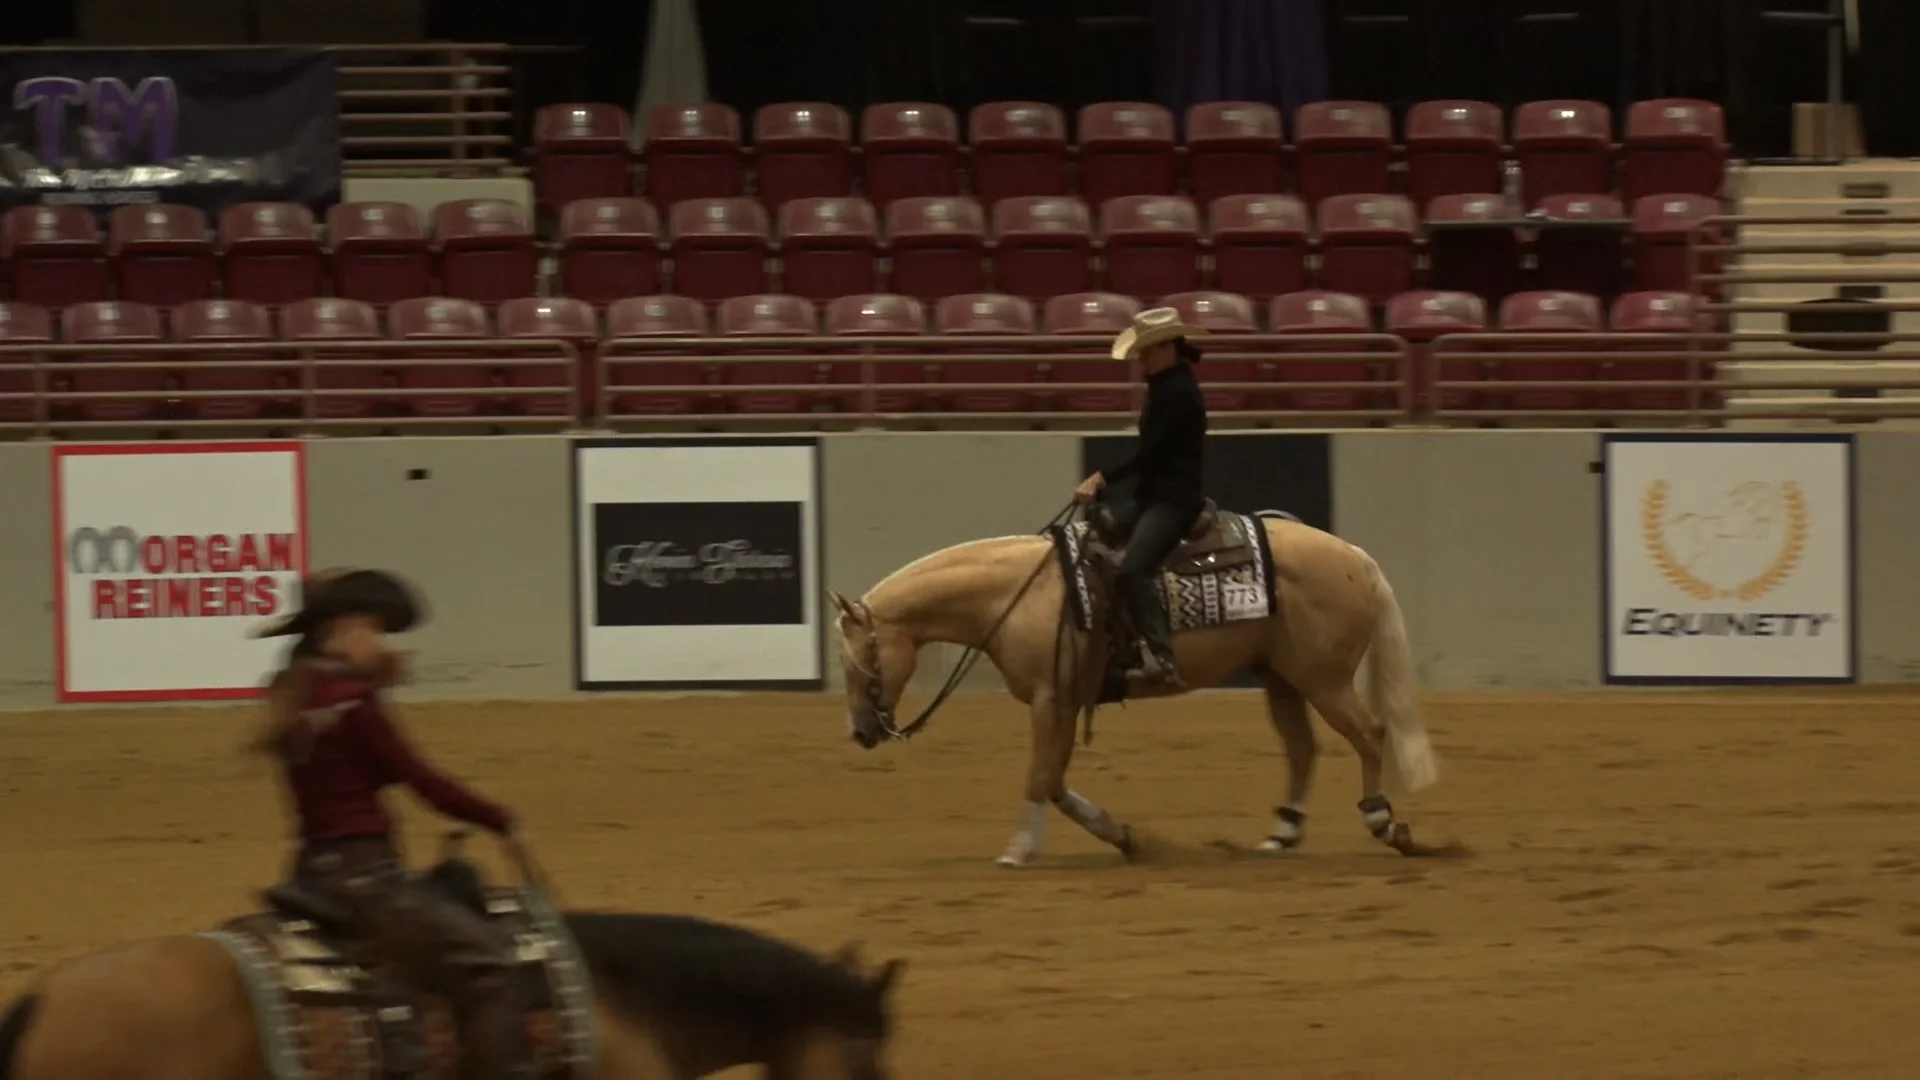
(698, 564)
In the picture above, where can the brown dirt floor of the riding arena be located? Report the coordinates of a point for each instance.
(1662, 887)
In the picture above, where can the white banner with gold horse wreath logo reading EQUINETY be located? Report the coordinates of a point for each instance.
(1729, 558)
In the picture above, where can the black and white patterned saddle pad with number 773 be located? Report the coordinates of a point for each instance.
(1195, 601)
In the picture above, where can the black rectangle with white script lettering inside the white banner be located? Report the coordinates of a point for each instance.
(700, 564)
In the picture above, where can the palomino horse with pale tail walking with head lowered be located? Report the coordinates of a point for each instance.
(1247, 593)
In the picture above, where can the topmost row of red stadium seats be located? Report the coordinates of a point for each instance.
(1020, 149)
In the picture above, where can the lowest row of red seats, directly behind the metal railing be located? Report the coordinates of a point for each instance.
(462, 389)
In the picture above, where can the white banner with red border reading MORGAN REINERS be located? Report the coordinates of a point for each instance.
(166, 556)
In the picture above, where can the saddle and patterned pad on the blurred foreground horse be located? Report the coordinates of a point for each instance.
(329, 1008)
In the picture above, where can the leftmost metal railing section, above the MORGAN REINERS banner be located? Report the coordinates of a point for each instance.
(297, 387)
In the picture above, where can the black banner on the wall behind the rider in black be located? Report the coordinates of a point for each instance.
(1251, 472)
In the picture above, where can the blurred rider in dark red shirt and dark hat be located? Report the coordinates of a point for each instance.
(331, 731)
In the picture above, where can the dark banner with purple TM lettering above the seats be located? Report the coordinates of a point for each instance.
(105, 128)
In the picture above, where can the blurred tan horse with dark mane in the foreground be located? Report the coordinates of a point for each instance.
(613, 998)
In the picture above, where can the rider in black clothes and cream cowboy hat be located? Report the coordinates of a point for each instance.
(1168, 478)
